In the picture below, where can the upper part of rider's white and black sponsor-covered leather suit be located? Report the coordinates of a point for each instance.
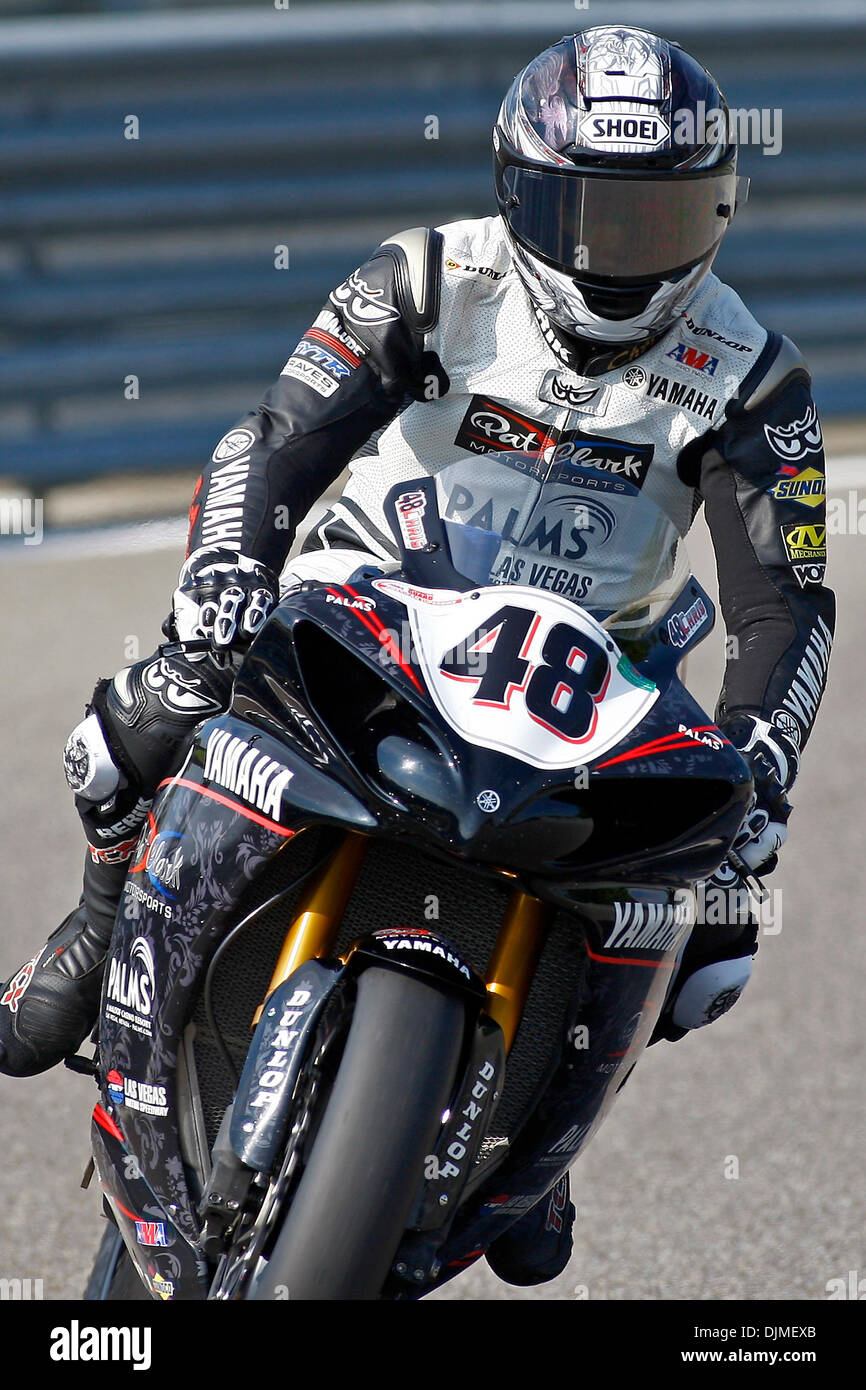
(433, 350)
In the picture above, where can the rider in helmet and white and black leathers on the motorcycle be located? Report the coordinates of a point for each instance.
(586, 312)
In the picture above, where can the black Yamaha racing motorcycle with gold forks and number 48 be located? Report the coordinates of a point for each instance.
(405, 917)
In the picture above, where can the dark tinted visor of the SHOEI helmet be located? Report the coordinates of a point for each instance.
(621, 227)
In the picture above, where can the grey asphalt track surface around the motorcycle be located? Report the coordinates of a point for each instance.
(778, 1085)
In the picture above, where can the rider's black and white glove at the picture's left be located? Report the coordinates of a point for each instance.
(223, 598)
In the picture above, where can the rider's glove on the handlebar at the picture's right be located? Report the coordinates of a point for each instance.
(775, 762)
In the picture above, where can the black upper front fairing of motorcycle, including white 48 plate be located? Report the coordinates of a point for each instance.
(457, 718)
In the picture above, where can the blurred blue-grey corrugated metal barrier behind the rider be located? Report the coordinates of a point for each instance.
(181, 191)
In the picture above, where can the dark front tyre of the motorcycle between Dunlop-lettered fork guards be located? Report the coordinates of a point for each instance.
(368, 1160)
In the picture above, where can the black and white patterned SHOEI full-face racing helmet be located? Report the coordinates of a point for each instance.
(616, 180)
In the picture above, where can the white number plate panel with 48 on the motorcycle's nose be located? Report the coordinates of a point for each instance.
(534, 678)
